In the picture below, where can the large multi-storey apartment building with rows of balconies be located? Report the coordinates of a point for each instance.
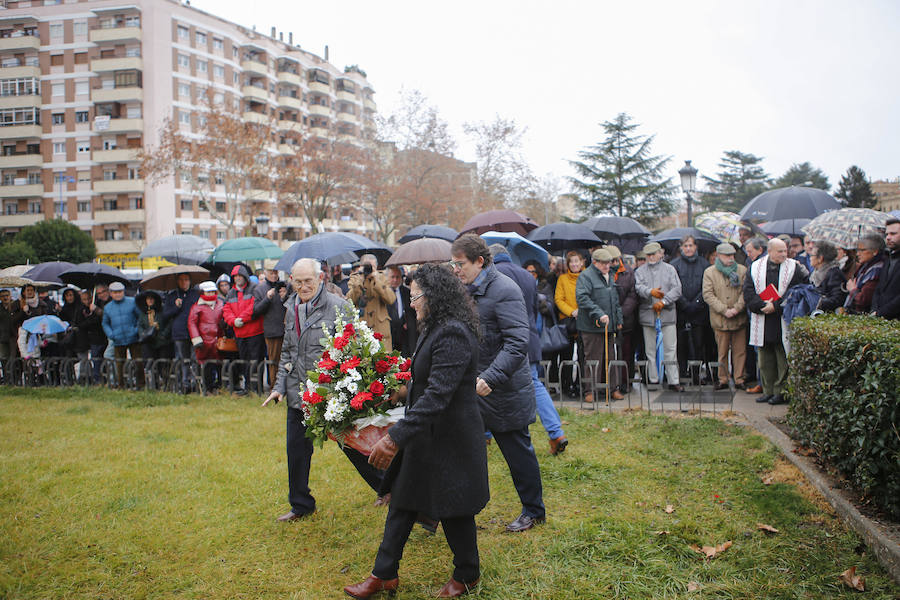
(85, 84)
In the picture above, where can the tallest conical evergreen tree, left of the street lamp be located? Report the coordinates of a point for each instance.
(620, 175)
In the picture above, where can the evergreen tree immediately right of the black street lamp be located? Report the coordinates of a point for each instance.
(741, 179)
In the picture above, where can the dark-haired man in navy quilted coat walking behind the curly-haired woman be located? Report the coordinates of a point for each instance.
(503, 384)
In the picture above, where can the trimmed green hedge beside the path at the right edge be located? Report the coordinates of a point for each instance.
(844, 383)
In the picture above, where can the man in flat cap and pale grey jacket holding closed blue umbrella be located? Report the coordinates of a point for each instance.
(658, 288)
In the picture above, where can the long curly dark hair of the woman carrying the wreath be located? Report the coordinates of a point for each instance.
(447, 298)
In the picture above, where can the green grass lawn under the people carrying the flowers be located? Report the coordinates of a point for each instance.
(132, 495)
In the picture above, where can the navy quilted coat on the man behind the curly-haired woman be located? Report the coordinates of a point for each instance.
(503, 353)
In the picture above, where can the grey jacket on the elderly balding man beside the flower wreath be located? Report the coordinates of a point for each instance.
(301, 350)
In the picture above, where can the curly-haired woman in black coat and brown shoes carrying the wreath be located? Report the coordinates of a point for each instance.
(435, 456)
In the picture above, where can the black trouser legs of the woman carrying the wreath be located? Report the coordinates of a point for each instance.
(461, 537)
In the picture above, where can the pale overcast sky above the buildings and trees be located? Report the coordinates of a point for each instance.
(791, 81)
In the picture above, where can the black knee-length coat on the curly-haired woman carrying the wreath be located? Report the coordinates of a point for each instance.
(441, 467)
